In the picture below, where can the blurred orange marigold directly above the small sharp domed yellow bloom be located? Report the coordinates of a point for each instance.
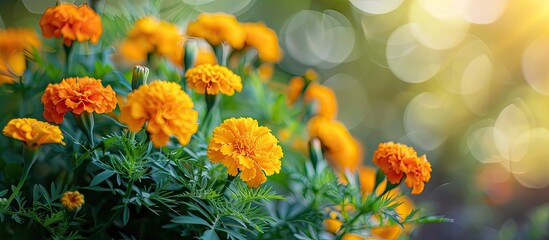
(216, 28)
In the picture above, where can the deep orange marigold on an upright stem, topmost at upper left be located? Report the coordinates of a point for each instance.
(72, 23)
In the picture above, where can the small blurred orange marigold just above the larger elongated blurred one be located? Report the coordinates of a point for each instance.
(324, 98)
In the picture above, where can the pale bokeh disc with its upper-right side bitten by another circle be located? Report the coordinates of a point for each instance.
(408, 59)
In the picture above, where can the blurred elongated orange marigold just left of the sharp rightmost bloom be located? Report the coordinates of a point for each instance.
(340, 148)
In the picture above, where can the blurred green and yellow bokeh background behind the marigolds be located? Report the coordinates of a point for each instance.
(465, 82)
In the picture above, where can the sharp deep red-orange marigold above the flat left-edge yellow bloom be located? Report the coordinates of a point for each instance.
(77, 95)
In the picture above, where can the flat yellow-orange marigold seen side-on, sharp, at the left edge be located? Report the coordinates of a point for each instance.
(33, 132)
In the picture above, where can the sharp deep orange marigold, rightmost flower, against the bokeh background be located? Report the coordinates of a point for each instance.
(398, 161)
